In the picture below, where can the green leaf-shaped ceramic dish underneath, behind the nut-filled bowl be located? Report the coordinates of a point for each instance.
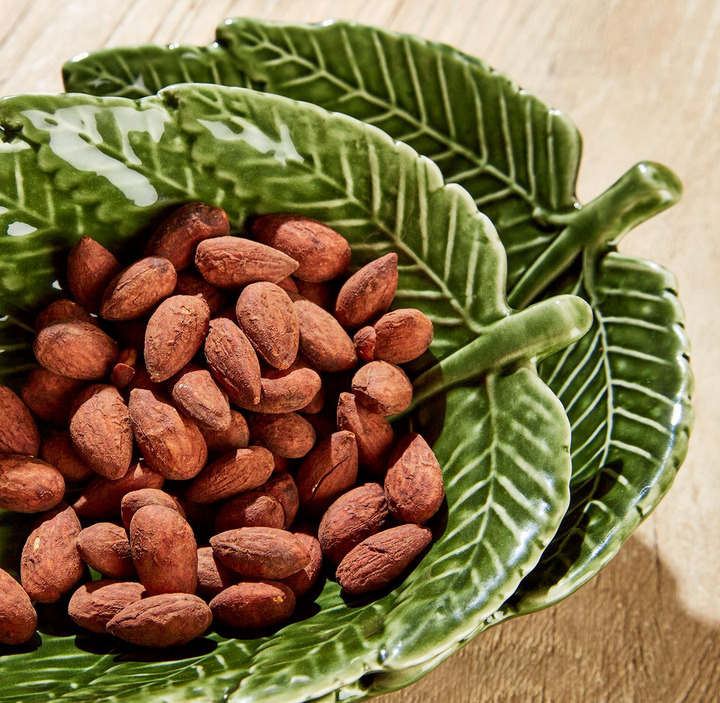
(627, 384)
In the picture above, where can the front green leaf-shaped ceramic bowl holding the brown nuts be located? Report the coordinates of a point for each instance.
(109, 167)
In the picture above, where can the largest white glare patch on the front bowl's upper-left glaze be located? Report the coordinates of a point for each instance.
(75, 138)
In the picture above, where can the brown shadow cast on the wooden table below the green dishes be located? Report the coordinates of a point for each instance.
(625, 637)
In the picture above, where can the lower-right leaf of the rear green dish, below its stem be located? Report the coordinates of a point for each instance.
(626, 388)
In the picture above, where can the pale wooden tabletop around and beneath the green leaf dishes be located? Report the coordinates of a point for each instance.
(641, 79)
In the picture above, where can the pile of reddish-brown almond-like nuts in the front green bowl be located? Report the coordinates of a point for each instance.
(194, 397)
